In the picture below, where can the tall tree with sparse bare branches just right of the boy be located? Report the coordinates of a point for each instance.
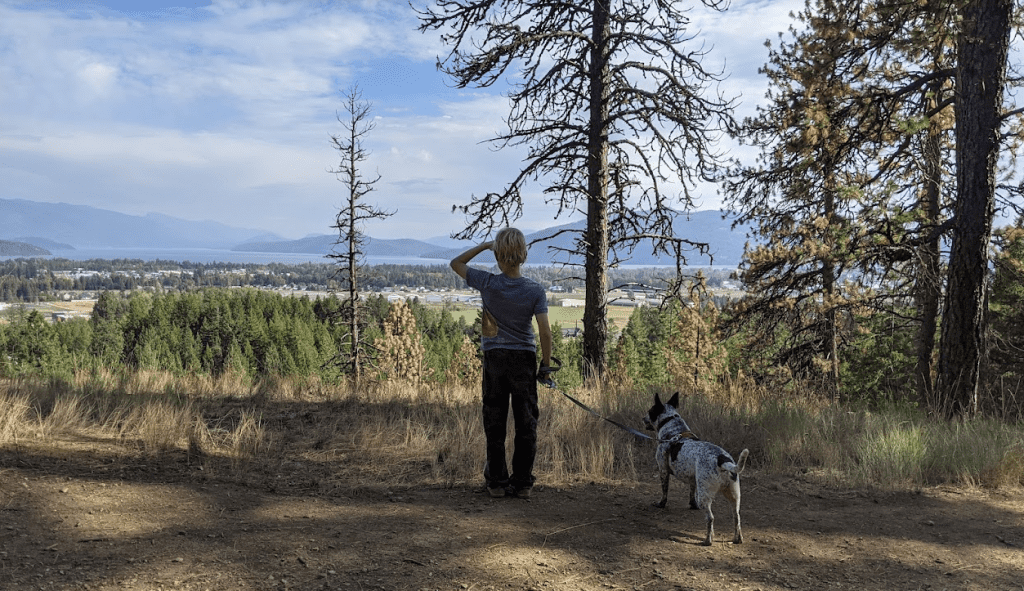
(616, 113)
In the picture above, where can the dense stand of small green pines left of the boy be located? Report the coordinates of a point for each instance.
(245, 331)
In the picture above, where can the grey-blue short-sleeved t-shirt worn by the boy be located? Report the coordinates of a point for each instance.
(514, 304)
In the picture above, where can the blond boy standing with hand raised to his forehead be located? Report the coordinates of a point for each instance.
(510, 304)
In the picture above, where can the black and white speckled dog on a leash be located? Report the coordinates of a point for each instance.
(709, 469)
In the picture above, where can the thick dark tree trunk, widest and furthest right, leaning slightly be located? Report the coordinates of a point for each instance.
(982, 67)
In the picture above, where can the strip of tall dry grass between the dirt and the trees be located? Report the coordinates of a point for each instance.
(399, 435)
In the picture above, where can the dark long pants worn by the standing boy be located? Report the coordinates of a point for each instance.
(510, 376)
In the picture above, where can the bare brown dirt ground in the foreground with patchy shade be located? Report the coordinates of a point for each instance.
(87, 516)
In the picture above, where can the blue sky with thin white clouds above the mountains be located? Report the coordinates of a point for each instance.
(224, 110)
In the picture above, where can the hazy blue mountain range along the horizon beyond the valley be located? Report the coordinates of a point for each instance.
(53, 228)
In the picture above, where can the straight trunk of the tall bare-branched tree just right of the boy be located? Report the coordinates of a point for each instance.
(595, 322)
